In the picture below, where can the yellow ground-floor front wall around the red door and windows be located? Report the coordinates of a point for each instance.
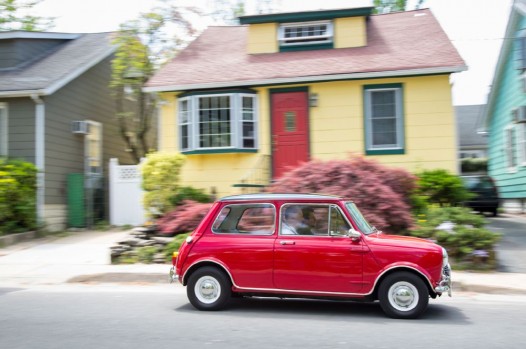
(336, 130)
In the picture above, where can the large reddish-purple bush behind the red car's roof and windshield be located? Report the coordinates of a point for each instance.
(381, 193)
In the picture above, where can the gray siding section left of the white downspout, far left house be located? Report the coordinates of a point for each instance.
(21, 128)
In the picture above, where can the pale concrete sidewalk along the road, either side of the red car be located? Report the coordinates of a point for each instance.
(84, 257)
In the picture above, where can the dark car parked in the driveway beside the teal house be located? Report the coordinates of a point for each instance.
(485, 195)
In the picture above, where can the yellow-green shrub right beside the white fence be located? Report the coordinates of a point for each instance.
(160, 174)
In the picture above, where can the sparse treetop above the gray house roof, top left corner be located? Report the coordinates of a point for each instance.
(14, 16)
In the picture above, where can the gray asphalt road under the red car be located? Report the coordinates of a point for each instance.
(161, 317)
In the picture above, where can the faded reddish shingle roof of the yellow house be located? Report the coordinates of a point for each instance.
(398, 44)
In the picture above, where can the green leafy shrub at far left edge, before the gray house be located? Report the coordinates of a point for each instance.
(17, 196)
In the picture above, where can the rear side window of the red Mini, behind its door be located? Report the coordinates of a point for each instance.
(257, 219)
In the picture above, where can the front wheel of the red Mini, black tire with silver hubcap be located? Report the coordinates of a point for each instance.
(403, 295)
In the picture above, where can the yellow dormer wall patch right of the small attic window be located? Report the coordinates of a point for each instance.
(350, 32)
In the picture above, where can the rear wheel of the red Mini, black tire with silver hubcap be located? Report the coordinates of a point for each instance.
(209, 289)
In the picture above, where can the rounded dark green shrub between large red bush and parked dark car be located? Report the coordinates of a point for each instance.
(441, 187)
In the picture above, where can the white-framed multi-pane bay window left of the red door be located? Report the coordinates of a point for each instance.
(222, 122)
